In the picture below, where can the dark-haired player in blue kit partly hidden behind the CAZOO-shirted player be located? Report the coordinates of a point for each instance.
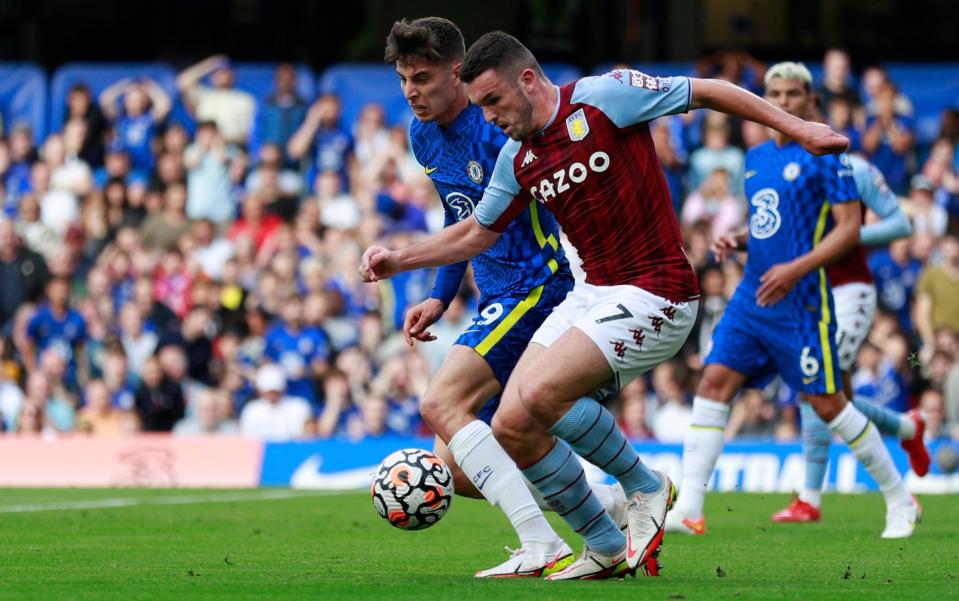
(521, 279)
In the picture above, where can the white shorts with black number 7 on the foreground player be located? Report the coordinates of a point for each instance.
(634, 329)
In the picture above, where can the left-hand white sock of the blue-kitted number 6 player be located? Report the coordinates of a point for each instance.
(701, 449)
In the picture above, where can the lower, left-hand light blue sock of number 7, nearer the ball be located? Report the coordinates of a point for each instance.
(560, 478)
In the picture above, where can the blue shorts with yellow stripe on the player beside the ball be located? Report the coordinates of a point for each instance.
(503, 328)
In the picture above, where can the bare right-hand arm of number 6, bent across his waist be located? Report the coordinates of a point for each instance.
(780, 279)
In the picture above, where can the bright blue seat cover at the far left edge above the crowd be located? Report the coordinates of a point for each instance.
(23, 97)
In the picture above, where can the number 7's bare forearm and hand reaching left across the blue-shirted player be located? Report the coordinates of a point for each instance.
(456, 243)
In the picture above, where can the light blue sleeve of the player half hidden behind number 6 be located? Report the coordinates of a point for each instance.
(877, 195)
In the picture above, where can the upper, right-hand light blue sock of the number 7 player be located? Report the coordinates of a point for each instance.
(594, 434)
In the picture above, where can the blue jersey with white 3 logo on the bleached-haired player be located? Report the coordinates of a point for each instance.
(790, 195)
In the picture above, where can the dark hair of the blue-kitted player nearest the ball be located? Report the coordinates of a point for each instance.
(433, 39)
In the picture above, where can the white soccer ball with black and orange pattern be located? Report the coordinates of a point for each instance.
(412, 489)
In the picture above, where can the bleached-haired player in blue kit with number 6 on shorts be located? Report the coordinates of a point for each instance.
(781, 317)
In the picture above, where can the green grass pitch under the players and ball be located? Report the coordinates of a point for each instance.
(202, 544)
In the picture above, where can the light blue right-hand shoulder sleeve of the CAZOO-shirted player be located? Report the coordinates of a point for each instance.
(629, 97)
